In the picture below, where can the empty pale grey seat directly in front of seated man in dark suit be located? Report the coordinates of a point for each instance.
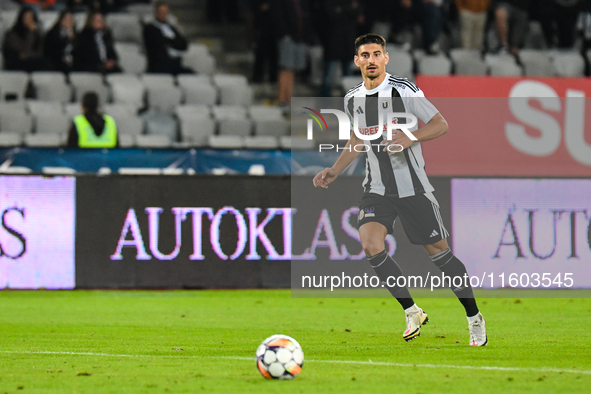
(163, 96)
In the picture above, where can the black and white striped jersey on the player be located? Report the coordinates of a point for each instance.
(394, 175)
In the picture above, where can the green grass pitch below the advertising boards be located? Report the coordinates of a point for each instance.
(204, 341)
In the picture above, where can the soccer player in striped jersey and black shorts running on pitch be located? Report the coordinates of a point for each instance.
(396, 184)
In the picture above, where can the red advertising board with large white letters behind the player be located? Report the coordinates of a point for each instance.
(505, 126)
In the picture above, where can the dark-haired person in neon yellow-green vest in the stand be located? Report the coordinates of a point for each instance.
(92, 129)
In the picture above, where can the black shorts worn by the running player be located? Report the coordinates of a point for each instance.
(419, 215)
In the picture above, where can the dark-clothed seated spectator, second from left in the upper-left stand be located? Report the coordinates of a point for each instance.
(59, 43)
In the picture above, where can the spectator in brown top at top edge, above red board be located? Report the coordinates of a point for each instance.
(472, 22)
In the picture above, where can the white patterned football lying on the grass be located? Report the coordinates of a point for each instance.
(280, 357)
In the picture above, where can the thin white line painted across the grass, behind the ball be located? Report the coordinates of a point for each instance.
(353, 362)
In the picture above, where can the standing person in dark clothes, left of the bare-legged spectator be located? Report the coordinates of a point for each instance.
(263, 30)
